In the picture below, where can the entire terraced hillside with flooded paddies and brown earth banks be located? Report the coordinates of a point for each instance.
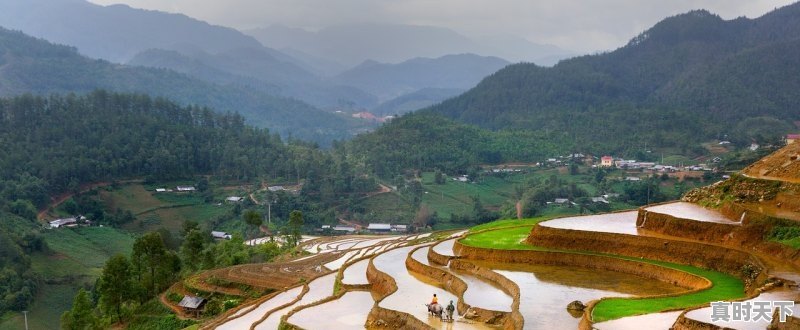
(658, 267)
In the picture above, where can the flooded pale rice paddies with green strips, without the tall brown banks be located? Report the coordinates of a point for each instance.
(544, 290)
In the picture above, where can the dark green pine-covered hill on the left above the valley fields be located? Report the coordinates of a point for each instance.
(54, 145)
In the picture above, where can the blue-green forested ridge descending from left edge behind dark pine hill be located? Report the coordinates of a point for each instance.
(29, 65)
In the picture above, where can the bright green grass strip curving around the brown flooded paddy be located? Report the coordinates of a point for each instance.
(725, 287)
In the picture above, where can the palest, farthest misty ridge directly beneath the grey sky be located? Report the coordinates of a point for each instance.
(353, 44)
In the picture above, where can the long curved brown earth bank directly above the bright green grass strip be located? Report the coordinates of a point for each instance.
(682, 252)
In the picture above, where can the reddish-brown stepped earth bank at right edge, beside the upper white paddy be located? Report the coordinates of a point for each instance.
(750, 235)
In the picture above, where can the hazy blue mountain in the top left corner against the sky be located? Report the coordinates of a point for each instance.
(116, 33)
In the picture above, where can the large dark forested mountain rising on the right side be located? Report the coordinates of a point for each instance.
(689, 78)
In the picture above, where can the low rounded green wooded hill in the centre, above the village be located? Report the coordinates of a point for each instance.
(427, 141)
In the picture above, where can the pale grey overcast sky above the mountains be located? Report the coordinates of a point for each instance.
(579, 25)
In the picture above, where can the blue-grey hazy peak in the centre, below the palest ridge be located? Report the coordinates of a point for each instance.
(387, 81)
